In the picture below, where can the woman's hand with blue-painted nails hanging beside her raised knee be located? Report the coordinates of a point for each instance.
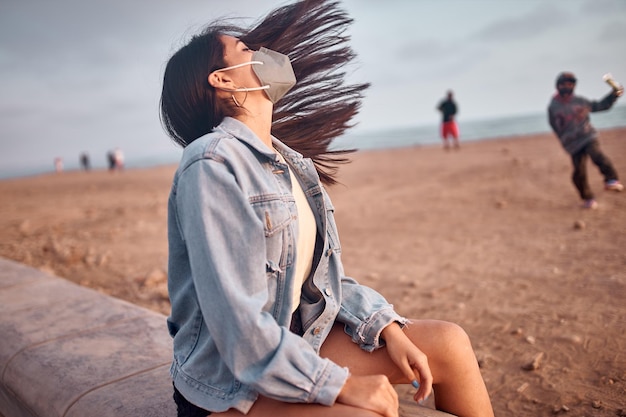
(411, 361)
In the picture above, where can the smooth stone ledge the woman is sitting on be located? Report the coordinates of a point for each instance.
(69, 351)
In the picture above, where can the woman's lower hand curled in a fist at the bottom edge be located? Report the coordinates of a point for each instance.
(372, 392)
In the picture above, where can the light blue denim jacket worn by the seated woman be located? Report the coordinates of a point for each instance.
(232, 235)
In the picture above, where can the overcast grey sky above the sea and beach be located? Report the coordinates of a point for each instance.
(85, 75)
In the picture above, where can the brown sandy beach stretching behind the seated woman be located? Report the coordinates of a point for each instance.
(491, 237)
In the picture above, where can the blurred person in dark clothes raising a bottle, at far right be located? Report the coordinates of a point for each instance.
(568, 115)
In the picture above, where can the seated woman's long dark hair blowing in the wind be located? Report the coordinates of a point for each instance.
(314, 112)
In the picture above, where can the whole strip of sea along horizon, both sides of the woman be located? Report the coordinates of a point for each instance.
(391, 137)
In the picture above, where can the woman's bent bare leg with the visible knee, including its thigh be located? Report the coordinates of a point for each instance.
(458, 385)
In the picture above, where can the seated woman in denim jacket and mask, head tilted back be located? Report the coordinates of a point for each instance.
(264, 320)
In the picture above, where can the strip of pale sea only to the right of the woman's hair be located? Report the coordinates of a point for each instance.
(471, 130)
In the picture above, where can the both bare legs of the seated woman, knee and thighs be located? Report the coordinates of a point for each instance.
(459, 387)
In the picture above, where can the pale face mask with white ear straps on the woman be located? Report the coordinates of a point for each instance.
(273, 70)
